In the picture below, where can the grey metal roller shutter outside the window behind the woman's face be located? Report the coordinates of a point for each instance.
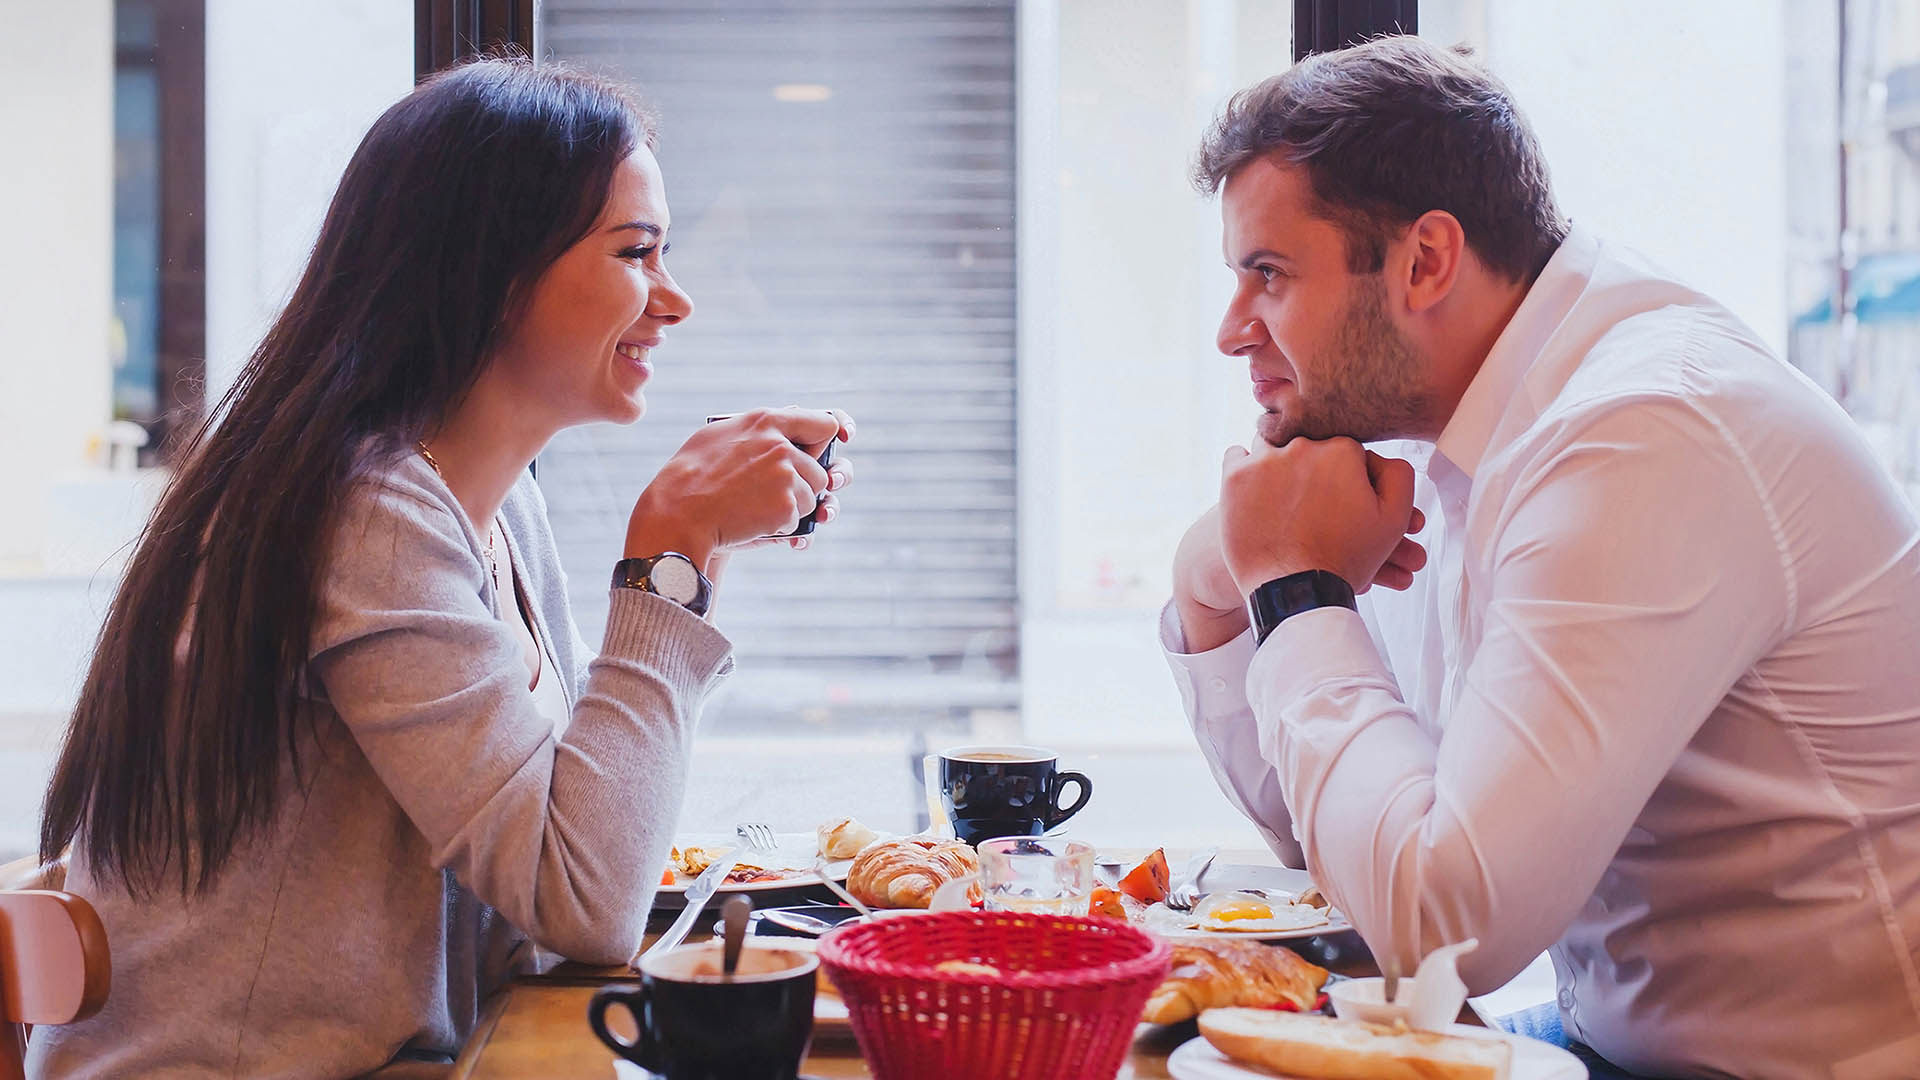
(842, 184)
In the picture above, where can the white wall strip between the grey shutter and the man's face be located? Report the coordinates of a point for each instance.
(1126, 406)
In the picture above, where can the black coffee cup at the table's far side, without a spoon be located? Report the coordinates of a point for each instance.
(1007, 791)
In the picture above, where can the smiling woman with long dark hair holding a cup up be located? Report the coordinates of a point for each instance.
(341, 750)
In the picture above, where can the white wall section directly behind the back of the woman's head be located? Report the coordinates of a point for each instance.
(291, 91)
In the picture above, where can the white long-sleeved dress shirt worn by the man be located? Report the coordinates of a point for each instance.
(1654, 706)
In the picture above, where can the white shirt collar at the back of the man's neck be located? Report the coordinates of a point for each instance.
(1470, 431)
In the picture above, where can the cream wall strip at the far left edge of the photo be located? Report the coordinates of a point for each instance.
(57, 276)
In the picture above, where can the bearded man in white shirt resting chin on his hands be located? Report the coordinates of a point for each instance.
(1654, 704)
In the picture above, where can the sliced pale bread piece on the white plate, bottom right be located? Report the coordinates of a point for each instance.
(1320, 1048)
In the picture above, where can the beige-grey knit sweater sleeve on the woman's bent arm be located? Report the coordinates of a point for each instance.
(565, 837)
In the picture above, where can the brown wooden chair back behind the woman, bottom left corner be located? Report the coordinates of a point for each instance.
(55, 966)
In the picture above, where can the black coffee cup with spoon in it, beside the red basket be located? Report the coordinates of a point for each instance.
(698, 1023)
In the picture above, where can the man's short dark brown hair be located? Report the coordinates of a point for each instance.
(1393, 130)
